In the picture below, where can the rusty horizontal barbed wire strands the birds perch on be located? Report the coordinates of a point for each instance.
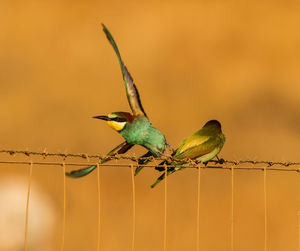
(217, 164)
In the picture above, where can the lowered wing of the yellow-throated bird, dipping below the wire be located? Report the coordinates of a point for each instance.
(120, 149)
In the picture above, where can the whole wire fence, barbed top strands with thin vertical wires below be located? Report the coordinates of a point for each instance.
(231, 165)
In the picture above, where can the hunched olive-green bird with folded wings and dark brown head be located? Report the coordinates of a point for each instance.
(203, 145)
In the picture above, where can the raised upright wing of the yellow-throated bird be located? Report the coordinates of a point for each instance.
(131, 90)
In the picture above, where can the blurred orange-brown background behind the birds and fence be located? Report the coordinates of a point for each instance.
(192, 61)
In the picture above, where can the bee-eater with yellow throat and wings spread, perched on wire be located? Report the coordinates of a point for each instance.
(135, 128)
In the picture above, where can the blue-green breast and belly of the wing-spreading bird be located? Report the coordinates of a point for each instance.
(141, 132)
